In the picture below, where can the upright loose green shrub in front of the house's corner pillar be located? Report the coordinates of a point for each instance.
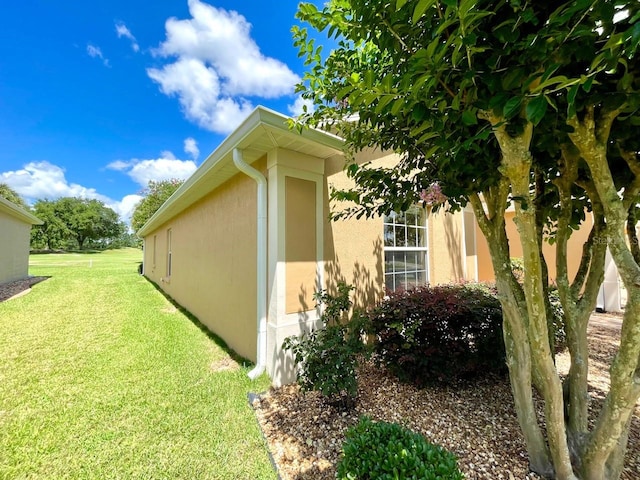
(327, 358)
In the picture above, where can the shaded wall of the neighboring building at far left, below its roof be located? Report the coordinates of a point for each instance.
(14, 248)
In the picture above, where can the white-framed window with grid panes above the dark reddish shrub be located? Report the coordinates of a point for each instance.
(405, 249)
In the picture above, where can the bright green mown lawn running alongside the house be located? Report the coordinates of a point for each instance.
(101, 377)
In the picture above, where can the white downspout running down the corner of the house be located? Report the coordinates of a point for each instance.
(261, 268)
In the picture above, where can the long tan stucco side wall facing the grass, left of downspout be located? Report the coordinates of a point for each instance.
(214, 261)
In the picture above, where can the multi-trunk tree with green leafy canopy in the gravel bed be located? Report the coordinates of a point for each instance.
(529, 104)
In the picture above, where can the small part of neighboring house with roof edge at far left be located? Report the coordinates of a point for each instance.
(15, 237)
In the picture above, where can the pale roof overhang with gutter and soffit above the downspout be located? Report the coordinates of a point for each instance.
(262, 131)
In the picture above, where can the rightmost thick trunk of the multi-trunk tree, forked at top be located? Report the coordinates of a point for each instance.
(604, 450)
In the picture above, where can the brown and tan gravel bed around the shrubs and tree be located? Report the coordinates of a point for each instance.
(476, 421)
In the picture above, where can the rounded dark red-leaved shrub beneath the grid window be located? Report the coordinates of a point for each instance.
(439, 333)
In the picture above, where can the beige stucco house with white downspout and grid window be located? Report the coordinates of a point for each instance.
(245, 242)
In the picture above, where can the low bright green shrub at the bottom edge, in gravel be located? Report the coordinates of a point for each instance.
(380, 450)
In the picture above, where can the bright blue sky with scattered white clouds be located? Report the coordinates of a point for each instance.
(97, 98)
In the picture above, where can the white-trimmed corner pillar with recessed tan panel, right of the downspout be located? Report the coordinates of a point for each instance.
(295, 253)
